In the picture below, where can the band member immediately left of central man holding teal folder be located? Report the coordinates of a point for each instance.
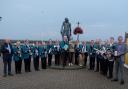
(57, 53)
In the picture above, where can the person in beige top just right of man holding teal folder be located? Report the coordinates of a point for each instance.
(71, 52)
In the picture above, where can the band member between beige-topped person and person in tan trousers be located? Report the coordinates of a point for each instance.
(77, 52)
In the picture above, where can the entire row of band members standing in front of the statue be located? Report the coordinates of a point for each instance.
(102, 55)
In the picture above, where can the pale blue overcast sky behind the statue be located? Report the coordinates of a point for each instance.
(42, 19)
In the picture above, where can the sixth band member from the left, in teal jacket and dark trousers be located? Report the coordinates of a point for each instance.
(50, 52)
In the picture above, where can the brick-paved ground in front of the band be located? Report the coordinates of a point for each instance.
(59, 79)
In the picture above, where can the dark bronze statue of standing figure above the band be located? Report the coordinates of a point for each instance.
(66, 29)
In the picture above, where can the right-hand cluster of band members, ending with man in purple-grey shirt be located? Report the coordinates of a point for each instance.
(108, 56)
